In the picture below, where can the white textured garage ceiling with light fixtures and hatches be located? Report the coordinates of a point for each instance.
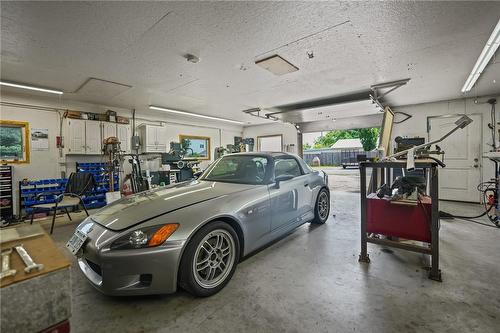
(355, 45)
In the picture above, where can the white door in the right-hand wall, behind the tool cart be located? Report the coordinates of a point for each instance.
(459, 179)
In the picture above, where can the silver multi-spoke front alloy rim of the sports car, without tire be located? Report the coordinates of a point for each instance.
(214, 258)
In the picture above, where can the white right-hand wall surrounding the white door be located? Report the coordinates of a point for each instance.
(417, 125)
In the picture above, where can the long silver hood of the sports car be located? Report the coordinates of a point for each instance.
(143, 206)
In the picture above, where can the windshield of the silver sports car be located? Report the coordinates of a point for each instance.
(243, 169)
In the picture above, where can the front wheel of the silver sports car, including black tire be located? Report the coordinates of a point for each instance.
(205, 266)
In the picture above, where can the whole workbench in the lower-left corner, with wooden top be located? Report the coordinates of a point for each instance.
(36, 301)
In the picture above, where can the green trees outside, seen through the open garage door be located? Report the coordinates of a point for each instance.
(367, 136)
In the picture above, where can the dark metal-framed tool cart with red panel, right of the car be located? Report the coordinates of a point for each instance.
(410, 220)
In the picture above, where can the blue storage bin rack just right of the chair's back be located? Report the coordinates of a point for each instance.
(97, 198)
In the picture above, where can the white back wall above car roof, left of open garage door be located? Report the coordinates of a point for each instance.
(275, 128)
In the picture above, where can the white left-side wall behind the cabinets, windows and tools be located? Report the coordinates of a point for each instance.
(50, 164)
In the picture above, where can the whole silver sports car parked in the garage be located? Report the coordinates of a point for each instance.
(194, 233)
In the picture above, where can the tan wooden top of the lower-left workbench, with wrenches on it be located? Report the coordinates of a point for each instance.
(42, 249)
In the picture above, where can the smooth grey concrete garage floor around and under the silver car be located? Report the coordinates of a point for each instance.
(311, 281)
